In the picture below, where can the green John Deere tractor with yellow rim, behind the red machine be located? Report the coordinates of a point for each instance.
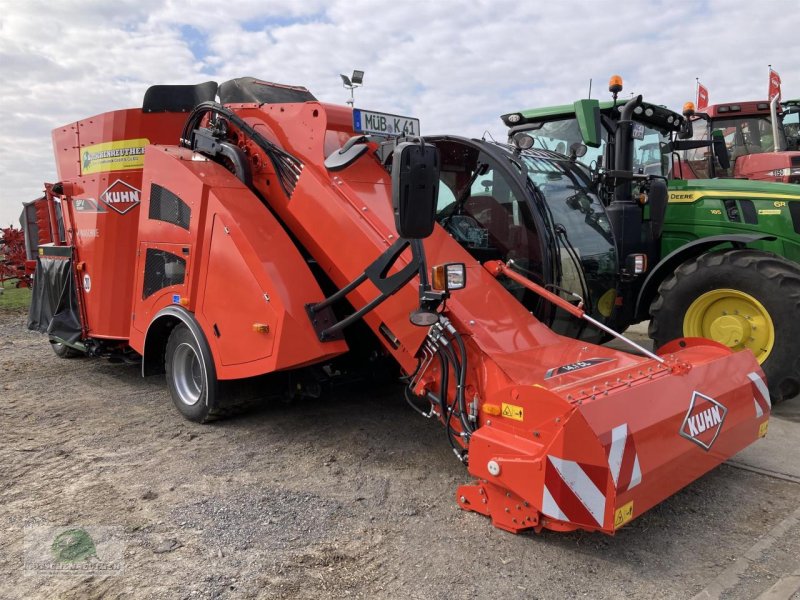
(726, 266)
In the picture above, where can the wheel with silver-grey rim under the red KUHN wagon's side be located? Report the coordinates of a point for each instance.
(191, 376)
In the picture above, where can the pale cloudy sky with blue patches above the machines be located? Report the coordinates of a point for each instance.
(456, 65)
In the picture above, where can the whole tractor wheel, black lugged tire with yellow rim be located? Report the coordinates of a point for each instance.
(697, 295)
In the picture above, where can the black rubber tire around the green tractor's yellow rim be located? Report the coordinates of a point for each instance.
(770, 279)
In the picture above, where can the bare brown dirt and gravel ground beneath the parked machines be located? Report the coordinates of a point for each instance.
(347, 496)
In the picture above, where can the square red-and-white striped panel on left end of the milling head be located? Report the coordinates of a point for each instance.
(573, 491)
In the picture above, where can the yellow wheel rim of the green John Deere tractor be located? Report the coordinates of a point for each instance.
(733, 318)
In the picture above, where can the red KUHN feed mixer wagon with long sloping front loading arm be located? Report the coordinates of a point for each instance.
(265, 232)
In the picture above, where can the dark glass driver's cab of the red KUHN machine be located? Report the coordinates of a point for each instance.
(538, 209)
